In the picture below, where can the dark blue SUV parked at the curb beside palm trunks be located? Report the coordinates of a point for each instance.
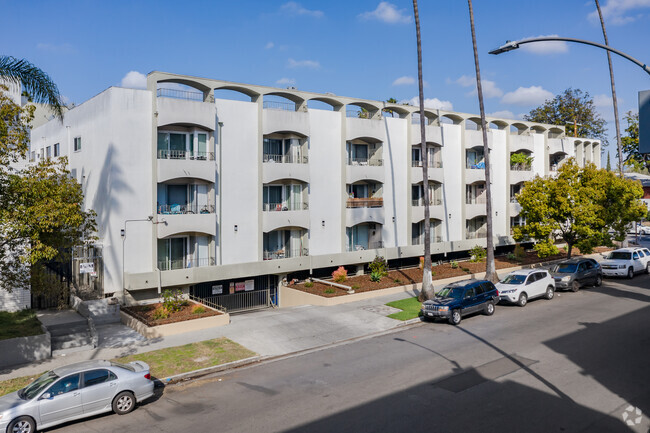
(459, 299)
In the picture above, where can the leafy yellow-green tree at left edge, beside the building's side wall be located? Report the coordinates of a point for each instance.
(41, 205)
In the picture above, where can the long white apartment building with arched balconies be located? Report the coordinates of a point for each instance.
(194, 191)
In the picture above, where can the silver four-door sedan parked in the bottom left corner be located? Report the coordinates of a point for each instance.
(73, 392)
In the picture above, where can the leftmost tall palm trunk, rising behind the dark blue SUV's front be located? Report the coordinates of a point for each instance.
(427, 288)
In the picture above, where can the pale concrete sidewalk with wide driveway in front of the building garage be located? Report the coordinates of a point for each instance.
(268, 333)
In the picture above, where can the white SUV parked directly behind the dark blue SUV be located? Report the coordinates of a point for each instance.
(520, 286)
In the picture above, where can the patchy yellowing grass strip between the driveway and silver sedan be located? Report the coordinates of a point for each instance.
(181, 359)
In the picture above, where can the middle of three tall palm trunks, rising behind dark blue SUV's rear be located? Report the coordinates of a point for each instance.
(490, 270)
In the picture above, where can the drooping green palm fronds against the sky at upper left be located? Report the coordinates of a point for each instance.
(38, 85)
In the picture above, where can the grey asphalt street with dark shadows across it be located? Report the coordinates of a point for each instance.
(571, 364)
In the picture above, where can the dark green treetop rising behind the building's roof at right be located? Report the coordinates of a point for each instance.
(573, 106)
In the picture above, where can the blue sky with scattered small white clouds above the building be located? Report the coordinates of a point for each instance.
(359, 48)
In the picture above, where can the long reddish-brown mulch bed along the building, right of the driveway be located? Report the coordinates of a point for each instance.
(401, 277)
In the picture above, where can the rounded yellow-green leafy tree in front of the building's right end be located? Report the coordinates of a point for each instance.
(579, 206)
